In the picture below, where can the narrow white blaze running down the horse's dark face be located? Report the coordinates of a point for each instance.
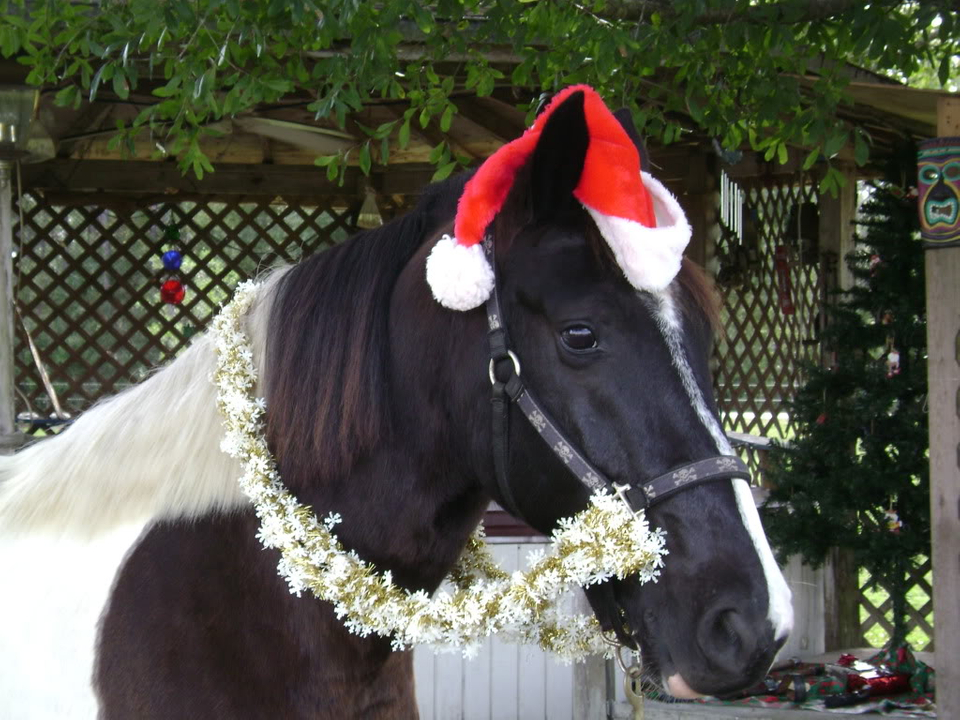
(780, 610)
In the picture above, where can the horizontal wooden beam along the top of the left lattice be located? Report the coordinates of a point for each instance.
(164, 178)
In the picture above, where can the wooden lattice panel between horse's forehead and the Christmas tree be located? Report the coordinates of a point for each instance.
(771, 284)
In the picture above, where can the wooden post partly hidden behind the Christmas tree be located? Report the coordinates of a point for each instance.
(841, 580)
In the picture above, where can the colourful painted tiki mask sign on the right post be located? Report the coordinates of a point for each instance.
(938, 187)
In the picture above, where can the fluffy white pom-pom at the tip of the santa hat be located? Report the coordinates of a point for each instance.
(459, 276)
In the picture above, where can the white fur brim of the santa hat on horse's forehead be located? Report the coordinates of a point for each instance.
(649, 257)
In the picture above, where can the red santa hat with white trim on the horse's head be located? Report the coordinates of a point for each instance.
(637, 216)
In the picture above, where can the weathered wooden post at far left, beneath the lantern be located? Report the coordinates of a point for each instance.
(10, 439)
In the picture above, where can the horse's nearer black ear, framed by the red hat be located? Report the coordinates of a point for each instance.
(558, 158)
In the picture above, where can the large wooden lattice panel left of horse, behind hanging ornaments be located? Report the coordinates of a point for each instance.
(88, 282)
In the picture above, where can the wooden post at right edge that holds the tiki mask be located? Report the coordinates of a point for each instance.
(943, 382)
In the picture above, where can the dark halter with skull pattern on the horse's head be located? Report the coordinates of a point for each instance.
(508, 388)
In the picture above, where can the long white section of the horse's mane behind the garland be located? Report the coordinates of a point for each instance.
(152, 451)
